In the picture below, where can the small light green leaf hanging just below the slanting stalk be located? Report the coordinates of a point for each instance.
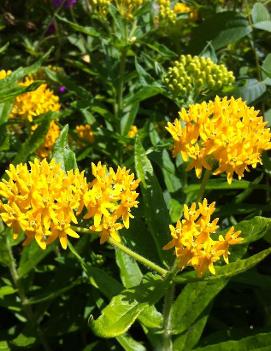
(129, 271)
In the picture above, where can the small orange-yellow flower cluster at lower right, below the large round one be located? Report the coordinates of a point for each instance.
(193, 242)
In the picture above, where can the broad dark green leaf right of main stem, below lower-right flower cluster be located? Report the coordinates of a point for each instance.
(192, 301)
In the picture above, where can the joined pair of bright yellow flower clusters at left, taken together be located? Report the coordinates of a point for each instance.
(45, 201)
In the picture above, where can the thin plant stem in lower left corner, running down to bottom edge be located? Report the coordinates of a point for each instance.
(27, 308)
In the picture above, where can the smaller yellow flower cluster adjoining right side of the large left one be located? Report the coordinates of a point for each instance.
(109, 200)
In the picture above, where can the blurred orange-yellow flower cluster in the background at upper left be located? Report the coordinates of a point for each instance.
(34, 103)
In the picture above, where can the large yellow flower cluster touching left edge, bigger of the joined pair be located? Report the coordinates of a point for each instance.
(42, 201)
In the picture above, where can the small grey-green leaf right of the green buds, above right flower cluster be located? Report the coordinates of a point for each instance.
(251, 91)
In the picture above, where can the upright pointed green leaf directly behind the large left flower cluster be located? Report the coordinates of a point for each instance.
(62, 152)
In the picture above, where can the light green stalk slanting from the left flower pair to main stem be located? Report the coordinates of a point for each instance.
(153, 266)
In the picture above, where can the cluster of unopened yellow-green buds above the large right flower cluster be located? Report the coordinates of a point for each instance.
(196, 74)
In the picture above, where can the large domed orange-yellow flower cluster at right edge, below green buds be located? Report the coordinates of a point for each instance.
(225, 131)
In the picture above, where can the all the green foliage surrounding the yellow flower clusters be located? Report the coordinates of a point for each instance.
(107, 66)
